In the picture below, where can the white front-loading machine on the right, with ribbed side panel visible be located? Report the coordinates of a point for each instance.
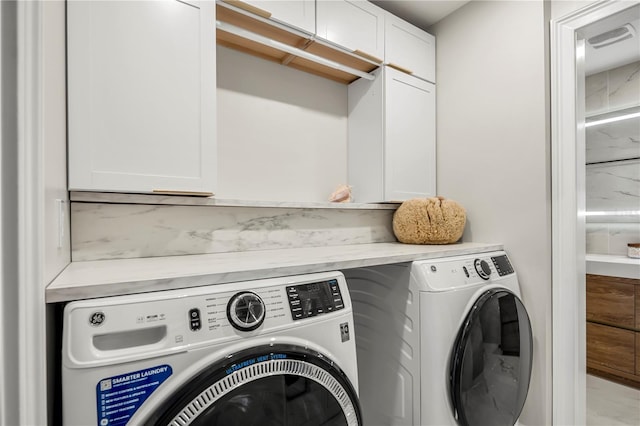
(441, 342)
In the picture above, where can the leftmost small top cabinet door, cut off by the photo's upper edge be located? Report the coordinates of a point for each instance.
(300, 14)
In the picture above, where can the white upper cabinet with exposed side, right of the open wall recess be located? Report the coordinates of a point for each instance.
(392, 137)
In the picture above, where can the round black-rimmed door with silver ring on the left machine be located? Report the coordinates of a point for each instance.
(265, 385)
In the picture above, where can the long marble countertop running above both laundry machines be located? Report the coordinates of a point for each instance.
(91, 279)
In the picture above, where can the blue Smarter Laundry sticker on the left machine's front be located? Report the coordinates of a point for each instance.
(119, 397)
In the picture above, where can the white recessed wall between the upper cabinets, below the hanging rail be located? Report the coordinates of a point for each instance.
(282, 133)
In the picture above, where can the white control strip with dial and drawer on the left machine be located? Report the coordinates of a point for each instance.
(150, 324)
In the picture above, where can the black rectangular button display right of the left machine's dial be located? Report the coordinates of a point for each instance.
(311, 299)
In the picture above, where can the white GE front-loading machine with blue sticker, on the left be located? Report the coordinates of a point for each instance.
(267, 352)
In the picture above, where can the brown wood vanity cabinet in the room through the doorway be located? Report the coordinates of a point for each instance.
(613, 328)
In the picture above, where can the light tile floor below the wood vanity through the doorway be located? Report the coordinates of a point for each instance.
(611, 404)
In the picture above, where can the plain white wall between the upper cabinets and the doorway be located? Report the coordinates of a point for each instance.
(493, 150)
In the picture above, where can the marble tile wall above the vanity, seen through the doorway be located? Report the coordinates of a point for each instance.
(613, 162)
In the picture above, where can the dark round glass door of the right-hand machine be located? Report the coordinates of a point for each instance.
(491, 361)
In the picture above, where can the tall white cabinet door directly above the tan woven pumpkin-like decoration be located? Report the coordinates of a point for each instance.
(410, 137)
